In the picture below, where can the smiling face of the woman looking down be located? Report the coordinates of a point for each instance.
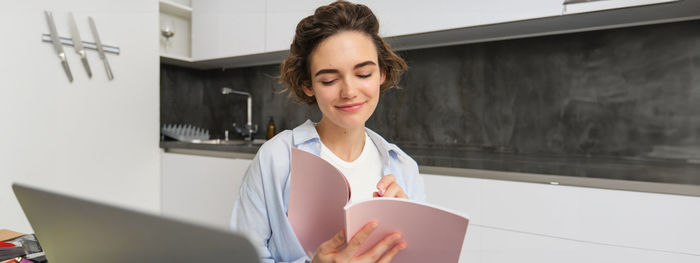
(345, 79)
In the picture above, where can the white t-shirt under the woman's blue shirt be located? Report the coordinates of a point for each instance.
(363, 173)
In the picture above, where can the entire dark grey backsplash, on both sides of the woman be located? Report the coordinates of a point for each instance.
(631, 93)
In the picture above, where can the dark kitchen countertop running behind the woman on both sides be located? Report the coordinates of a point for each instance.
(635, 174)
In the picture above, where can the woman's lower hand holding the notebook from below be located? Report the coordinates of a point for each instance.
(382, 252)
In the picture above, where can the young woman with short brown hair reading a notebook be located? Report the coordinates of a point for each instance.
(338, 62)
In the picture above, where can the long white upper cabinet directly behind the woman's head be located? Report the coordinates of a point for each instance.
(402, 17)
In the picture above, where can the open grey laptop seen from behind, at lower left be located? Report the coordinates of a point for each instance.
(70, 229)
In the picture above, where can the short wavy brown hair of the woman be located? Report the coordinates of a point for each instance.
(325, 22)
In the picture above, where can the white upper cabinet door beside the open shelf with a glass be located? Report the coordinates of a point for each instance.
(227, 28)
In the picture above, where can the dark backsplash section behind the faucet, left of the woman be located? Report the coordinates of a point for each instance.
(194, 97)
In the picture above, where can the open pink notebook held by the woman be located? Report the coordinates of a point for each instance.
(318, 209)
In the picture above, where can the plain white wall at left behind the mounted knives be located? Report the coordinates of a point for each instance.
(92, 138)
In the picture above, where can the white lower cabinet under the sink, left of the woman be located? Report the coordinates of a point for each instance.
(200, 189)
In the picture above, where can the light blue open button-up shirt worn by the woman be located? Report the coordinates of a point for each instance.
(261, 209)
